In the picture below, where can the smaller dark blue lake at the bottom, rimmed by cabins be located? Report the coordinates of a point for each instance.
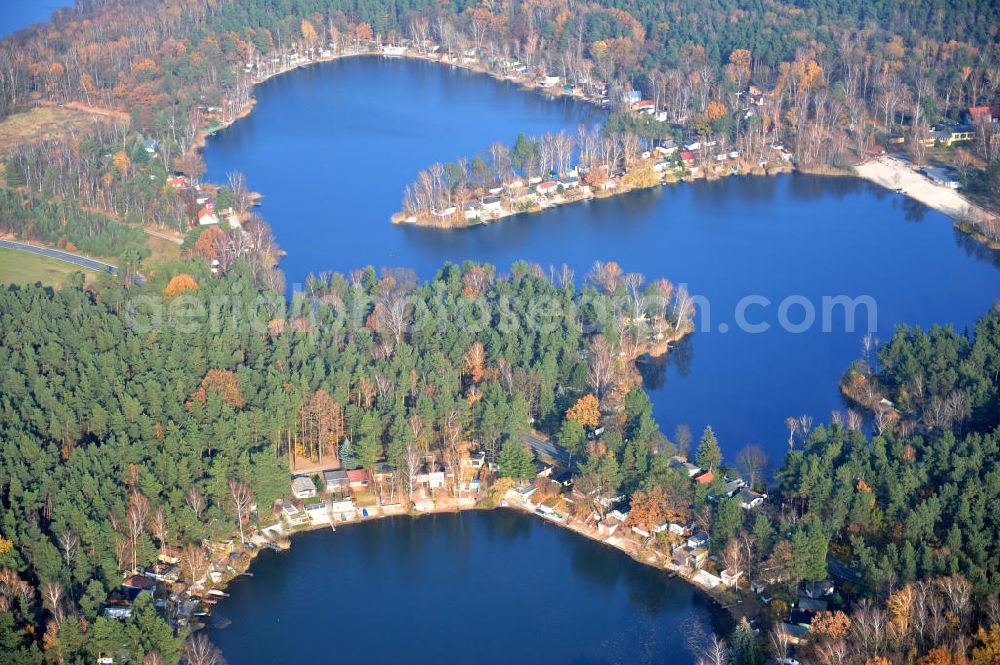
(484, 587)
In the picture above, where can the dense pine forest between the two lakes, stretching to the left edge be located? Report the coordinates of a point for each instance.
(131, 420)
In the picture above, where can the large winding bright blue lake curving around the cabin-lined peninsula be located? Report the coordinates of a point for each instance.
(332, 147)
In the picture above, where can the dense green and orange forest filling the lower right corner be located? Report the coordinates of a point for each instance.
(910, 510)
